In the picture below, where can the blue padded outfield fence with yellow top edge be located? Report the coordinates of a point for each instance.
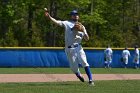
(52, 57)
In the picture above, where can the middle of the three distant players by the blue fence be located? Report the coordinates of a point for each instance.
(125, 56)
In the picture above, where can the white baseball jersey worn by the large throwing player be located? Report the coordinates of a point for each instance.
(71, 36)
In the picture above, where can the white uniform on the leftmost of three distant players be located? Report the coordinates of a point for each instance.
(108, 55)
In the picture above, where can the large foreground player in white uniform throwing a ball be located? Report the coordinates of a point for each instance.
(73, 47)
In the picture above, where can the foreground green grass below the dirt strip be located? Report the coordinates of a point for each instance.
(125, 86)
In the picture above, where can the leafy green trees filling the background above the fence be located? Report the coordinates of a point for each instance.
(114, 22)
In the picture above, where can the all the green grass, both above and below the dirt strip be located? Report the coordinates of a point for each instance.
(113, 86)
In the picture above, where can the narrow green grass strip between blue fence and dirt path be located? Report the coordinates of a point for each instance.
(67, 71)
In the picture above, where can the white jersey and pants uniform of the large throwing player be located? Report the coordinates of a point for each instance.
(73, 48)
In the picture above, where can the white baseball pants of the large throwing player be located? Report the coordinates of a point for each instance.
(76, 56)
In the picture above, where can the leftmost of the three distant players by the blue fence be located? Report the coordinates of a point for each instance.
(108, 56)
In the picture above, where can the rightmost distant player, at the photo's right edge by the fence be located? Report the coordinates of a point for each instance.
(136, 57)
